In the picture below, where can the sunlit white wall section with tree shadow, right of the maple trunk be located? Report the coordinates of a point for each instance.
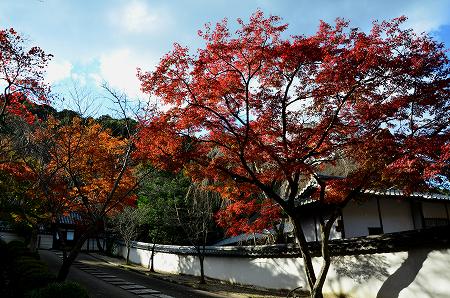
(418, 273)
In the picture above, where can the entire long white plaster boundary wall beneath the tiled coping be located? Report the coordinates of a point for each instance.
(418, 273)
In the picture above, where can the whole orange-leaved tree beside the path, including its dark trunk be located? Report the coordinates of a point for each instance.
(76, 167)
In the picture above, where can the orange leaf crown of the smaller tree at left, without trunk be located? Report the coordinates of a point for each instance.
(81, 166)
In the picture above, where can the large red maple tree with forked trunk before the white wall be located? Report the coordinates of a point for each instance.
(264, 114)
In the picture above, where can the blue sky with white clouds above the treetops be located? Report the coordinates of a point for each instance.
(106, 40)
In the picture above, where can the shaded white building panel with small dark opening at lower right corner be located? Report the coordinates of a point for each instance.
(359, 216)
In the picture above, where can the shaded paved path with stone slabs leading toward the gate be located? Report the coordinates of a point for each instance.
(105, 280)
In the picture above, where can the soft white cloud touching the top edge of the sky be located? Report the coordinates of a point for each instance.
(137, 17)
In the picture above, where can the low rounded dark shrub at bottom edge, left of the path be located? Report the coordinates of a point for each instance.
(60, 290)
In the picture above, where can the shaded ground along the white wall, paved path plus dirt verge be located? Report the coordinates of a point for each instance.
(97, 273)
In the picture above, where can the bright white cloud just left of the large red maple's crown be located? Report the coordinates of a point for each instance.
(119, 68)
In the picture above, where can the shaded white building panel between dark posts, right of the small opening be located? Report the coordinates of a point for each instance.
(396, 215)
